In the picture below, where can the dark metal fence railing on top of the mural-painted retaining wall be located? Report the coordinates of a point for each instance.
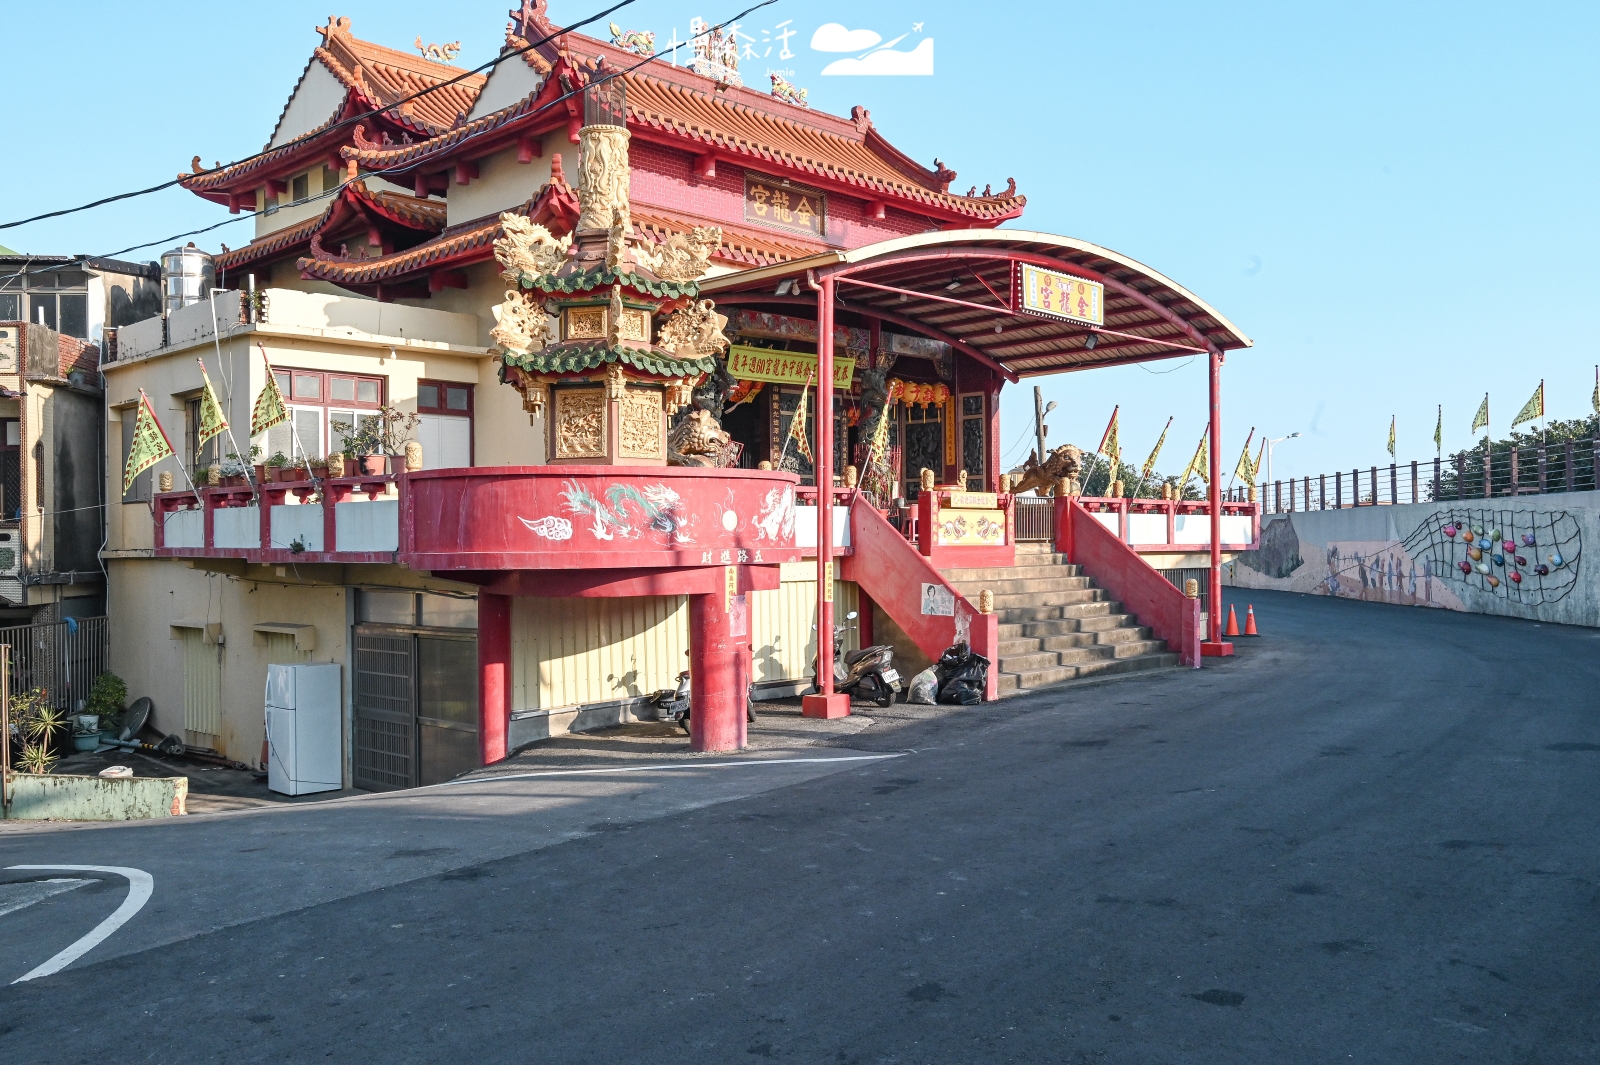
(1559, 468)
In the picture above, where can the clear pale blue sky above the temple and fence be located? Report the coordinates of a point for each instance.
(1394, 201)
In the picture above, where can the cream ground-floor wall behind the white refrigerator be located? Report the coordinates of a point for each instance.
(148, 599)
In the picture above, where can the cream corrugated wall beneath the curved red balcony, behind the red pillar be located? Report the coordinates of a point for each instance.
(578, 652)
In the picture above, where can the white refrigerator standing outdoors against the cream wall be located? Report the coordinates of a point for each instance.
(303, 728)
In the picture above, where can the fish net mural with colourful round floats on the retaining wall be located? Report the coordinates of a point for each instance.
(1521, 556)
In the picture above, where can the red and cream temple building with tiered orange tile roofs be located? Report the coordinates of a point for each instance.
(596, 361)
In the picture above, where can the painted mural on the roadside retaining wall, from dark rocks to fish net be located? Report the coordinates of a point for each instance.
(1463, 559)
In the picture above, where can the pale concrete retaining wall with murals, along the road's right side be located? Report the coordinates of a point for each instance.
(1407, 556)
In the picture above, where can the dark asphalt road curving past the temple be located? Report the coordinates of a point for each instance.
(1372, 839)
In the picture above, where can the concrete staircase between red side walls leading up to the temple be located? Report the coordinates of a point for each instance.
(1057, 626)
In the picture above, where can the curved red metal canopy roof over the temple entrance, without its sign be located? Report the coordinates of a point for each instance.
(958, 287)
